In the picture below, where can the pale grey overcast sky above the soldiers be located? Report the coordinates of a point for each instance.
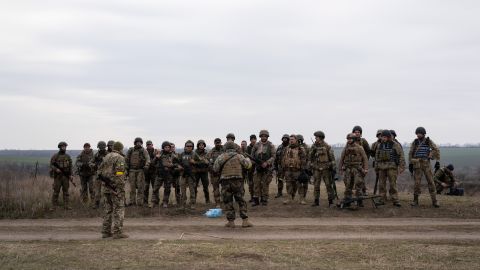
(175, 70)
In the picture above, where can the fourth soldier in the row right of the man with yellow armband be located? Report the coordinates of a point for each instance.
(187, 178)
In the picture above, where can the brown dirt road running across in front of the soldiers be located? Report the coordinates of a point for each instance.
(200, 228)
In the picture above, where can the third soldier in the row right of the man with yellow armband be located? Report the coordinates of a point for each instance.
(166, 163)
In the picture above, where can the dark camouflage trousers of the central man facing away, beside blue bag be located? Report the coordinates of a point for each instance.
(232, 189)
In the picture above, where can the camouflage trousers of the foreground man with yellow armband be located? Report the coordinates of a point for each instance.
(114, 212)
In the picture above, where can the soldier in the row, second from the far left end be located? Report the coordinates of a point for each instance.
(86, 173)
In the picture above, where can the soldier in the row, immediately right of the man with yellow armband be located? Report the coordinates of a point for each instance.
(137, 162)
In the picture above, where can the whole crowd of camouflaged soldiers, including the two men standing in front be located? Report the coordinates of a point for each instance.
(227, 166)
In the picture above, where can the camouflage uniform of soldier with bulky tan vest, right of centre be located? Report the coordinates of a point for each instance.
(294, 162)
